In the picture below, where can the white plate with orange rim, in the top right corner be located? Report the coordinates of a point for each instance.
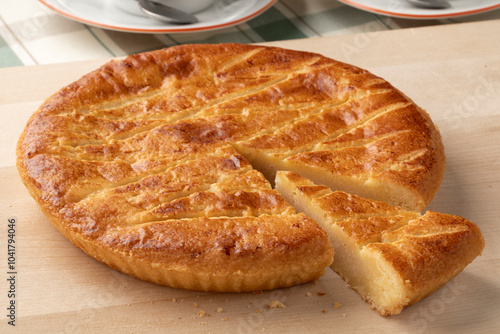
(401, 8)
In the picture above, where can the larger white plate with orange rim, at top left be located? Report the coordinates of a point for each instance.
(106, 14)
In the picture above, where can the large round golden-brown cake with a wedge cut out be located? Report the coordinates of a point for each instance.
(161, 165)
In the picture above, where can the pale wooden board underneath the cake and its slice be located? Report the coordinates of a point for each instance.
(452, 71)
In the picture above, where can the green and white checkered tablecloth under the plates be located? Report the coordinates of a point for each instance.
(31, 34)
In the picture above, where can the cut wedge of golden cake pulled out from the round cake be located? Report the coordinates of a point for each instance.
(391, 257)
